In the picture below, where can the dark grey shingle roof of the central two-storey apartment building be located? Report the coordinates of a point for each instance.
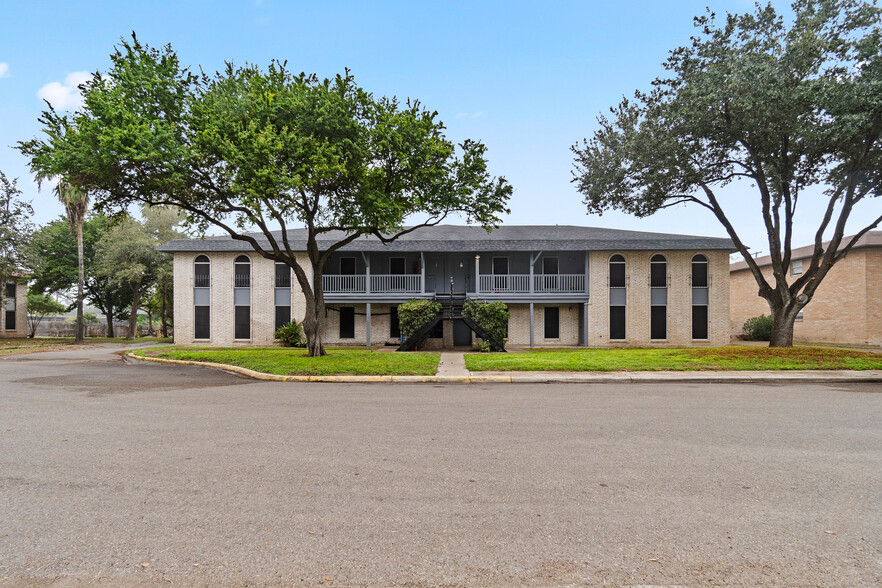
(473, 239)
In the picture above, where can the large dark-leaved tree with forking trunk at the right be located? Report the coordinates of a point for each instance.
(793, 111)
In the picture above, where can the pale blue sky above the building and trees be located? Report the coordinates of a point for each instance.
(528, 79)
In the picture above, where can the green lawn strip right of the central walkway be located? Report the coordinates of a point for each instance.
(678, 359)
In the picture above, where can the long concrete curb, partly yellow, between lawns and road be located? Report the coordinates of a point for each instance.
(730, 377)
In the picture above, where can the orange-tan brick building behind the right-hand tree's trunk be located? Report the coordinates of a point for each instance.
(846, 307)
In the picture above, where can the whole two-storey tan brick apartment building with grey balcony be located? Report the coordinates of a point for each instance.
(564, 286)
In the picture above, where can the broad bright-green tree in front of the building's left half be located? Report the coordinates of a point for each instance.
(265, 150)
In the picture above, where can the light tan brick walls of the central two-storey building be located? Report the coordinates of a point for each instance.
(679, 308)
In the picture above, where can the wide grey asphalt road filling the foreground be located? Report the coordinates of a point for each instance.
(212, 479)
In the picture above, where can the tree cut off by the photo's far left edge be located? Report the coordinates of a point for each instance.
(15, 228)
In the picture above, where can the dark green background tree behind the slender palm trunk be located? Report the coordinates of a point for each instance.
(53, 263)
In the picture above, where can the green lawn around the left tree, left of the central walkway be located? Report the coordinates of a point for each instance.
(286, 361)
